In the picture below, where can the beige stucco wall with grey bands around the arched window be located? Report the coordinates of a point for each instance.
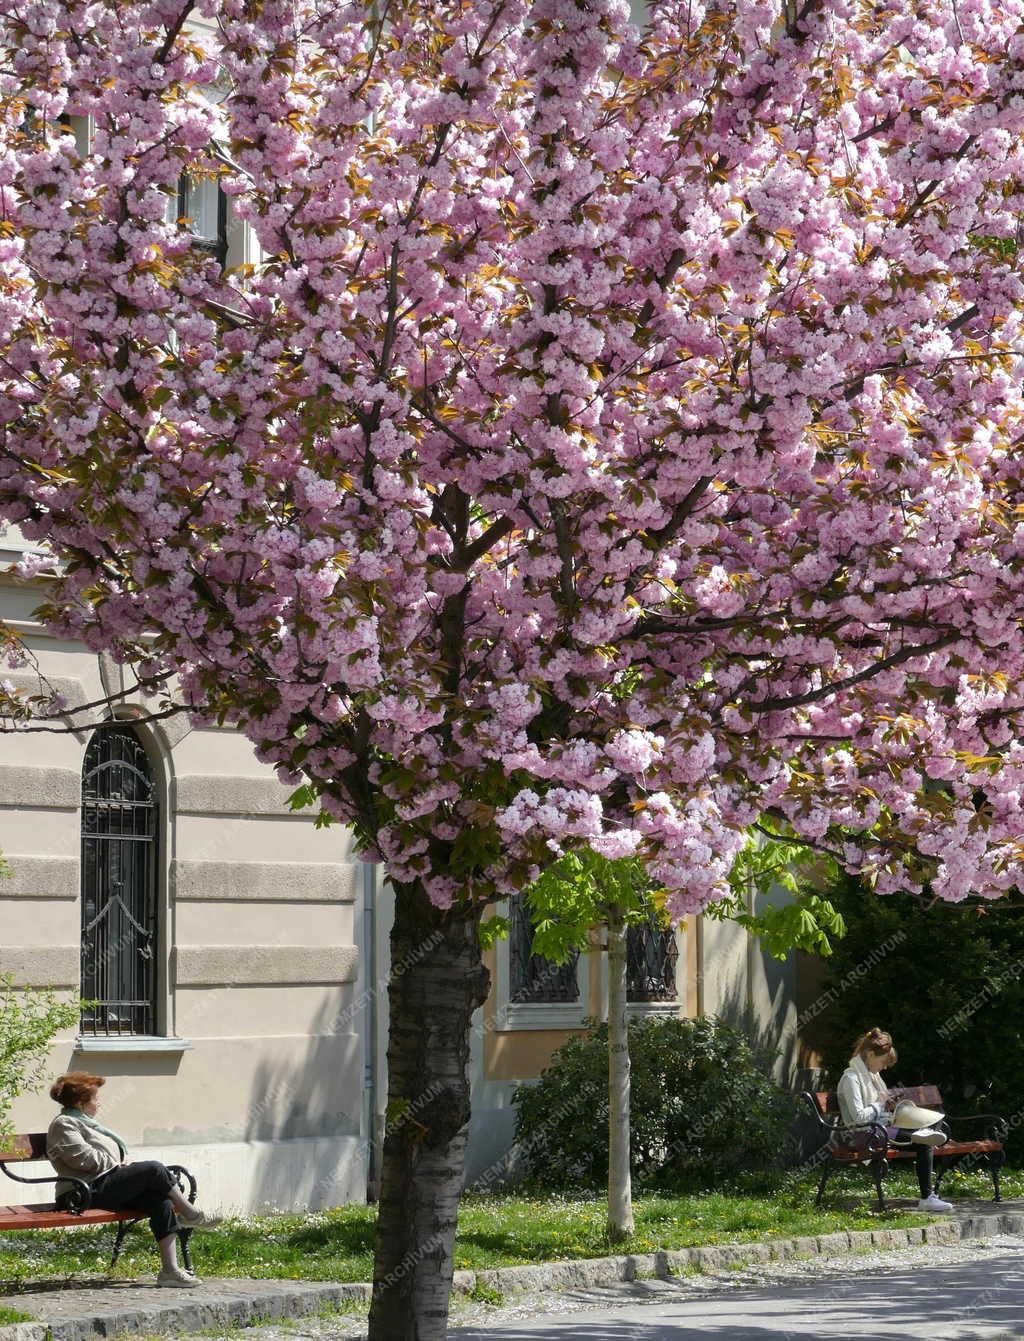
(259, 964)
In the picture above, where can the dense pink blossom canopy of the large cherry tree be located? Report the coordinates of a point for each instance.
(616, 443)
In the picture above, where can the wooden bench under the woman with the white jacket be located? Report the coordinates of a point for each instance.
(871, 1146)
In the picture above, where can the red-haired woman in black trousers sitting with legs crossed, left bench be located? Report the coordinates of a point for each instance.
(81, 1147)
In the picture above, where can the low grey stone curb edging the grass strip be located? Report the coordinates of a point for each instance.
(235, 1307)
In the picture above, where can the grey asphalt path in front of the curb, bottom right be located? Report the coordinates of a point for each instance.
(968, 1301)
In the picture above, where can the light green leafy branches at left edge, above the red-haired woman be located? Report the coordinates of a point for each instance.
(30, 1020)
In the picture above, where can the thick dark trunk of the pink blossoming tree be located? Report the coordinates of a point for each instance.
(438, 981)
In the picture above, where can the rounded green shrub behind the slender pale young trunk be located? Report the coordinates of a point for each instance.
(703, 1108)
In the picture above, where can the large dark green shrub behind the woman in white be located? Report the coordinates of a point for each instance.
(947, 981)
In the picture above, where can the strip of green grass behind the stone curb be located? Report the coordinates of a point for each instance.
(493, 1230)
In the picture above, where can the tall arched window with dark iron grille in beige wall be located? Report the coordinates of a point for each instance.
(119, 886)
